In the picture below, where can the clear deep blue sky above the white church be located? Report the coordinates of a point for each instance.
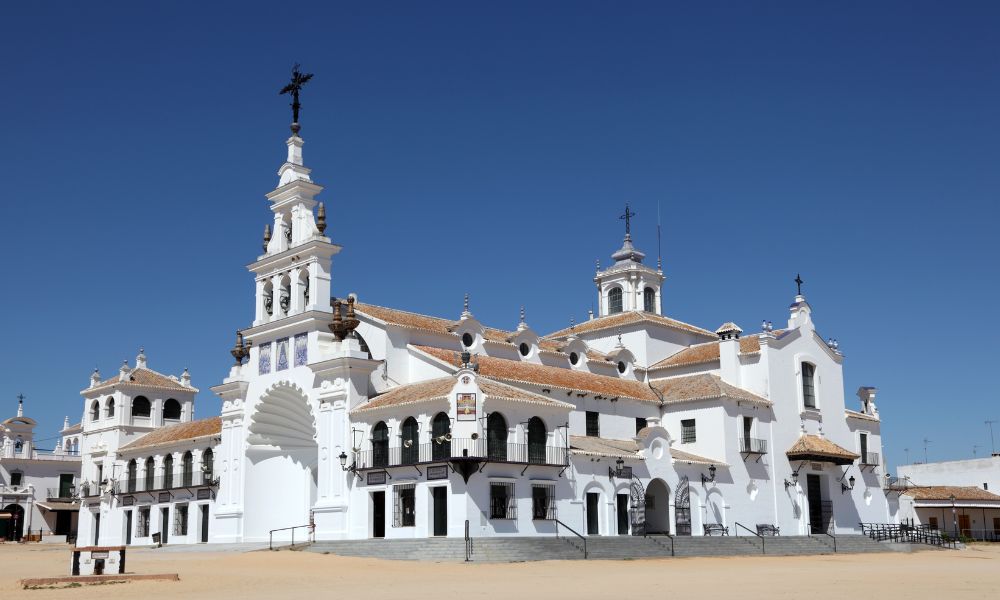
(489, 148)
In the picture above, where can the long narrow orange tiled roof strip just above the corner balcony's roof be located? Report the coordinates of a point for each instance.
(567, 379)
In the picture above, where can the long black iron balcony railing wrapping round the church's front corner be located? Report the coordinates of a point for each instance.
(528, 454)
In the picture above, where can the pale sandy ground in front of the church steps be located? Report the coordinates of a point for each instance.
(970, 573)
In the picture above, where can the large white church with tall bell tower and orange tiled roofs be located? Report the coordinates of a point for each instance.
(367, 421)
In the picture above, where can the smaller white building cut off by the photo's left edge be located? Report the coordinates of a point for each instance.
(37, 486)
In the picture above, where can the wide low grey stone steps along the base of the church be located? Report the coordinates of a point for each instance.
(515, 549)
